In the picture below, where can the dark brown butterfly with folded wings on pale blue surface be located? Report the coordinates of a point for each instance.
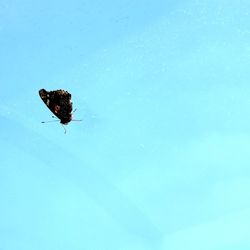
(60, 104)
